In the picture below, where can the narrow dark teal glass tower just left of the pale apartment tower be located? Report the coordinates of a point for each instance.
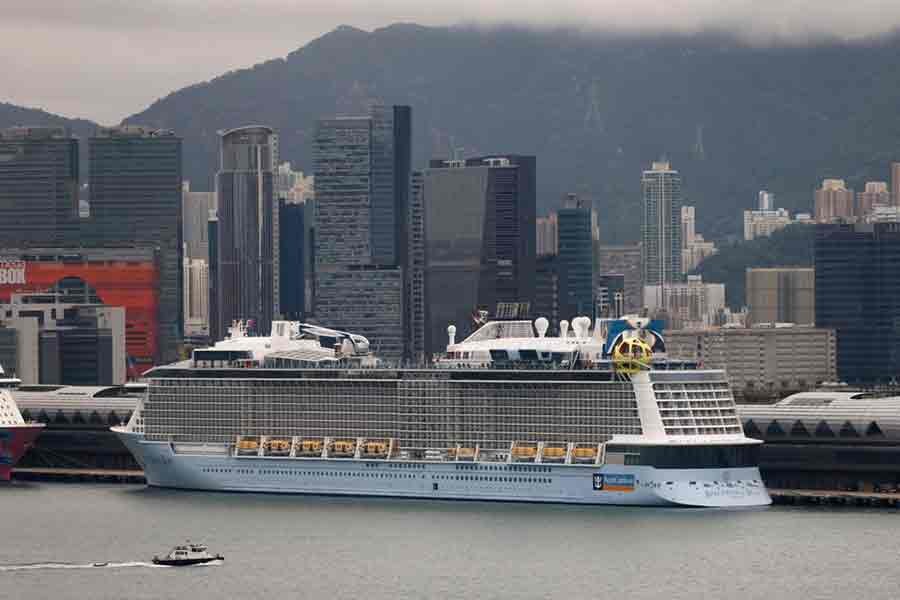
(576, 258)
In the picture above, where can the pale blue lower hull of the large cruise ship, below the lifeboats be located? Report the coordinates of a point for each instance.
(213, 468)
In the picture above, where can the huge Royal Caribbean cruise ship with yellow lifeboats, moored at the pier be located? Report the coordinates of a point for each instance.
(593, 415)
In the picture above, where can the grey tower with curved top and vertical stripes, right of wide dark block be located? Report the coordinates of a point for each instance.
(247, 270)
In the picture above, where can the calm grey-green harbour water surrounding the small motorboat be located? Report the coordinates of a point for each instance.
(280, 548)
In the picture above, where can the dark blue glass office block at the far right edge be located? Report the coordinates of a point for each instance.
(857, 290)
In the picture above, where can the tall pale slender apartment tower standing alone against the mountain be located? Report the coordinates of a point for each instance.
(661, 228)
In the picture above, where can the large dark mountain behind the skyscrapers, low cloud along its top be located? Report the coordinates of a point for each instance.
(595, 109)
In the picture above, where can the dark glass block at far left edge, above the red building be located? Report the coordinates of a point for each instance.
(39, 189)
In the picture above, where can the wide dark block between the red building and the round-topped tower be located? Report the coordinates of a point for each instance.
(136, 199)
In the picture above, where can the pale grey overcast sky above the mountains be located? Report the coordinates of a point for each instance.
(107, 59)
